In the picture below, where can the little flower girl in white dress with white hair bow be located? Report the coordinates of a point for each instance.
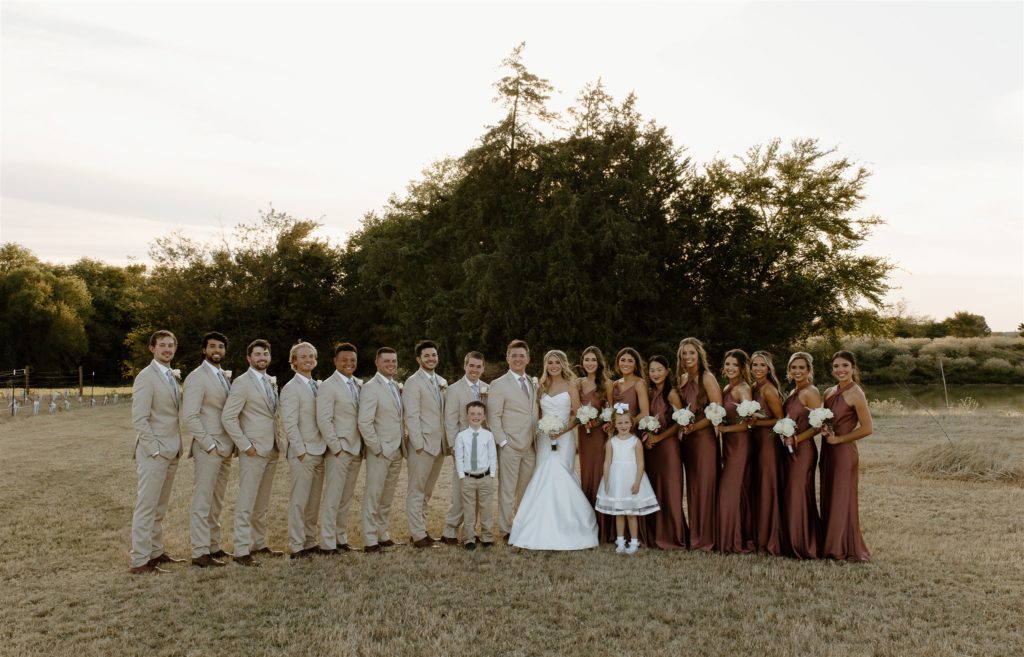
(625, 492)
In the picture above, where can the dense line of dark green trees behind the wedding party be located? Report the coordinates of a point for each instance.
(587, 228)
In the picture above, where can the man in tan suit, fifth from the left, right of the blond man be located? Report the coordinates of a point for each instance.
(338, 419)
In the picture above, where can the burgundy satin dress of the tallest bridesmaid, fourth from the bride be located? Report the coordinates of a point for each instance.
(701, 461)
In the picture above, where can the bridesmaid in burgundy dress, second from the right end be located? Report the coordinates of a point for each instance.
(802, 527)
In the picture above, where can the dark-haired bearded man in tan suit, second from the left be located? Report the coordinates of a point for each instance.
(202, 405)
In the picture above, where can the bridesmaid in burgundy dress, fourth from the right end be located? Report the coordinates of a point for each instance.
(736, 533)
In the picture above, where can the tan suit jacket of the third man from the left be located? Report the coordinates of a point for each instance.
(249, 418)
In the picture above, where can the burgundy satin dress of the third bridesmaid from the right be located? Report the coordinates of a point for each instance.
(767, 466)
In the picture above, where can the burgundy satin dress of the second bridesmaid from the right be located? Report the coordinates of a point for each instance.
(801, 513)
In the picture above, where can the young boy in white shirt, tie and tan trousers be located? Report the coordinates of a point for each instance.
(477, 465)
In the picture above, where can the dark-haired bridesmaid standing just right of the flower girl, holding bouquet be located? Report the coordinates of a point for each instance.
(666, 529)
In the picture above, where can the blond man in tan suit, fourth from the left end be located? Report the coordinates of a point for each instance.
(306, 452)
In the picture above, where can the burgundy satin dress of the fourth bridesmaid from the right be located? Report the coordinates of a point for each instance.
(736, 533)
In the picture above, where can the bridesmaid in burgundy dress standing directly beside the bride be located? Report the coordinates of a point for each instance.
(595, 389)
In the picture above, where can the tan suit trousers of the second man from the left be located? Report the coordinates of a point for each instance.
(209, 487)
